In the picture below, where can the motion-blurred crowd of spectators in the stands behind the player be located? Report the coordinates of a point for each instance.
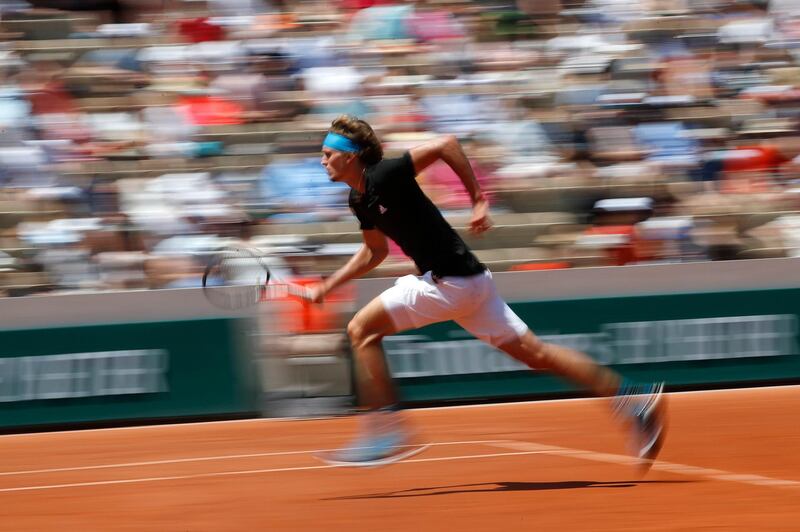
(137, 137)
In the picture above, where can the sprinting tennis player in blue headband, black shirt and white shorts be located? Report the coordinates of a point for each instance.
(452, 285)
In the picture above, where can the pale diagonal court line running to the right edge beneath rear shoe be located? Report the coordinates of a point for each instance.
(659, 465)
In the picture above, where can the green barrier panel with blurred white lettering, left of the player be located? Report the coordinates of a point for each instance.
(95, 373)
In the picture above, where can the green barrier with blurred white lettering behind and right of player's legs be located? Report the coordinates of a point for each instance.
(687, 339)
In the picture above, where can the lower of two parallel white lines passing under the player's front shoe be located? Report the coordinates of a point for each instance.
(253, 472)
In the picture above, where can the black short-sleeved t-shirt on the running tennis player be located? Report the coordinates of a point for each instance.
(393, 203)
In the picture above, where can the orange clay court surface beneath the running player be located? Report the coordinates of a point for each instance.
(731, 462)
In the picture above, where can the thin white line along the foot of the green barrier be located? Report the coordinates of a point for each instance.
(453, 407)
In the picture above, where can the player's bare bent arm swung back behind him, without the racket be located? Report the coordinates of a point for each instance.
(448, 149)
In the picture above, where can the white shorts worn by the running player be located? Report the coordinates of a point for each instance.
(472, 302)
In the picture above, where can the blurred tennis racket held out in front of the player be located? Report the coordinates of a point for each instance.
(239, 277)
